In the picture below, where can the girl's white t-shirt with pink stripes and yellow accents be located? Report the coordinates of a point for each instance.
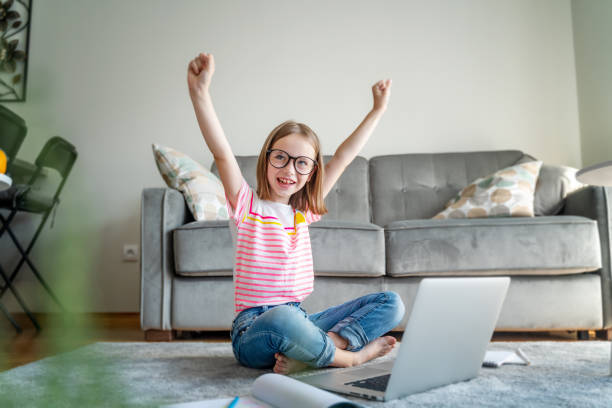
(273, 263)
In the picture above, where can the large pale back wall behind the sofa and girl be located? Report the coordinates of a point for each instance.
(111, 77)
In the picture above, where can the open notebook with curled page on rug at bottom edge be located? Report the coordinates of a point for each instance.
(276, 391)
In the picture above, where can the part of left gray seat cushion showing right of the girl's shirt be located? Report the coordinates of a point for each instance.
(347, 248)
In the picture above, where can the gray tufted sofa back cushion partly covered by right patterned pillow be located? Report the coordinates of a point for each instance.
(417, 186)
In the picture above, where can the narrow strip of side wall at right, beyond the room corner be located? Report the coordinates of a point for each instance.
(593, 43)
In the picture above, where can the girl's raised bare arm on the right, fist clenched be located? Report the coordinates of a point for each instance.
(351, 147)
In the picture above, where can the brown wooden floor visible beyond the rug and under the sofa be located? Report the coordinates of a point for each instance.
(65, 333)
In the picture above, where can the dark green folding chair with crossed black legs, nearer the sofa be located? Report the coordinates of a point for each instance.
(37, 197)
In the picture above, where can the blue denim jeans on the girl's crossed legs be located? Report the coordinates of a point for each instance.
(260, 332)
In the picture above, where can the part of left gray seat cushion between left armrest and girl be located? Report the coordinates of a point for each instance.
(203, 248)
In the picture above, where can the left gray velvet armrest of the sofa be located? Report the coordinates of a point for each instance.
(162, 210)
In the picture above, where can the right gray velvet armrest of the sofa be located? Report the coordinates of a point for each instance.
(595, 202)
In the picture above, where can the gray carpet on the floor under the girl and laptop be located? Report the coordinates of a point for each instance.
(149, 374)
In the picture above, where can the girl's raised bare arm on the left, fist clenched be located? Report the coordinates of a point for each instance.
(199, 75)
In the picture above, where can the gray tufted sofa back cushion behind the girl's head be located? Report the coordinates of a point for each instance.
(347, 201)
